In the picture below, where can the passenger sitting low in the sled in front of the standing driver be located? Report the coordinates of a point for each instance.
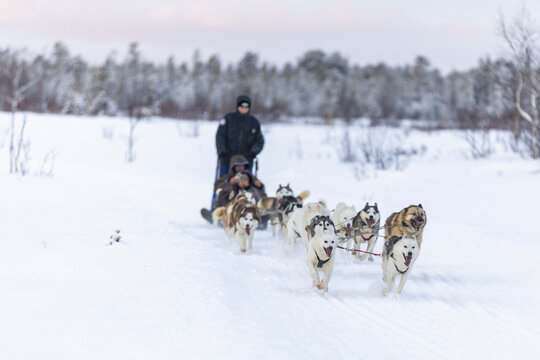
(238, 178)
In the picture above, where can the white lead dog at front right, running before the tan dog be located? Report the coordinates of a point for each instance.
(399, 255)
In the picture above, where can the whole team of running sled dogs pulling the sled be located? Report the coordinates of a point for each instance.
(322, 230)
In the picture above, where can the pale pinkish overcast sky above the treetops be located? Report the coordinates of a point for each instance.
(452, 34)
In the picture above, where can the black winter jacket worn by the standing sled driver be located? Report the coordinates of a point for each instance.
(239, 134)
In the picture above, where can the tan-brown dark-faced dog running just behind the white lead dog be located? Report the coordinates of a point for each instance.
(408, 222)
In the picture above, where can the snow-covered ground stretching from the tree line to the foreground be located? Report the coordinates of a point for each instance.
(177, 288)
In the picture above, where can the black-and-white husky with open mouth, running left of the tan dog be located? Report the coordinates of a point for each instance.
(366, 229)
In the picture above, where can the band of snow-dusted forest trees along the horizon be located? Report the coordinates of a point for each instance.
(316, 85)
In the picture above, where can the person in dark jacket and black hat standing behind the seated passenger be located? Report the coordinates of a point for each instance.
(239, 133)
